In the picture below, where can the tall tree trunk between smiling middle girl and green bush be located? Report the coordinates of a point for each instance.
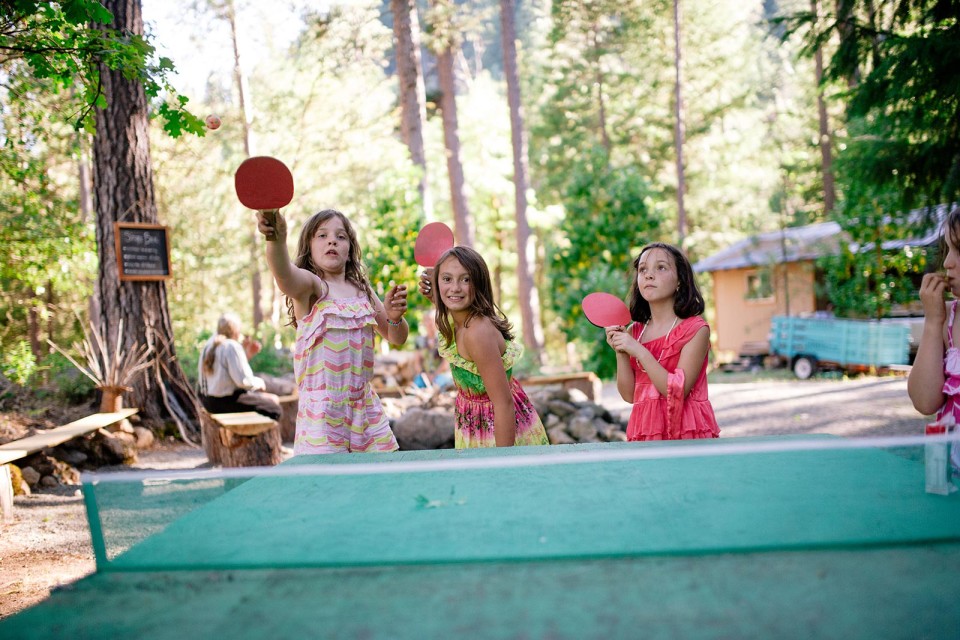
(527, 295)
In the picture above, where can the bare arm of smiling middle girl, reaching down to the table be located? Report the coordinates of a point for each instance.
(481, 342)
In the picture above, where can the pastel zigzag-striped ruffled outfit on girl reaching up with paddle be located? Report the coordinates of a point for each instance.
(333, 363)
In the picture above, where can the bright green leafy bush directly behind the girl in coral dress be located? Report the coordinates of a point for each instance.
(608, 218)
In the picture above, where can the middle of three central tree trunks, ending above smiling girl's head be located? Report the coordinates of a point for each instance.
(463, 222)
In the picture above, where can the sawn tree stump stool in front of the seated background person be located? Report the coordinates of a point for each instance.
(245, 439)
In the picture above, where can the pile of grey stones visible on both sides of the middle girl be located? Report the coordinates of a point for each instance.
(424, 419)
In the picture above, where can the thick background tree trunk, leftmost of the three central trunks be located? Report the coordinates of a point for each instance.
(413, 100)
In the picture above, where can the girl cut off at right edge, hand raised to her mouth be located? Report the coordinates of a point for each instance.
(934, 381)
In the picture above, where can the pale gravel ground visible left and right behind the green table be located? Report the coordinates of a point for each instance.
(47, 543)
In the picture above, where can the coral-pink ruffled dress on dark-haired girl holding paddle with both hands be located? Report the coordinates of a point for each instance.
(655, 417)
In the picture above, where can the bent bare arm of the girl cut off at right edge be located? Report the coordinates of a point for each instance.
(925, 382)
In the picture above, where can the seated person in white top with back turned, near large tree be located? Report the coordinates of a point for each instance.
(227, 383)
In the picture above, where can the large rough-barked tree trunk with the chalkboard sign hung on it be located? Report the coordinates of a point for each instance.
(123, 191)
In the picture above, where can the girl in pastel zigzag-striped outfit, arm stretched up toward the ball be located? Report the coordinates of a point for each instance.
(332, 305)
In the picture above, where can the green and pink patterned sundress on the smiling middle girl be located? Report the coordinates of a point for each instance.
(474, 410)
